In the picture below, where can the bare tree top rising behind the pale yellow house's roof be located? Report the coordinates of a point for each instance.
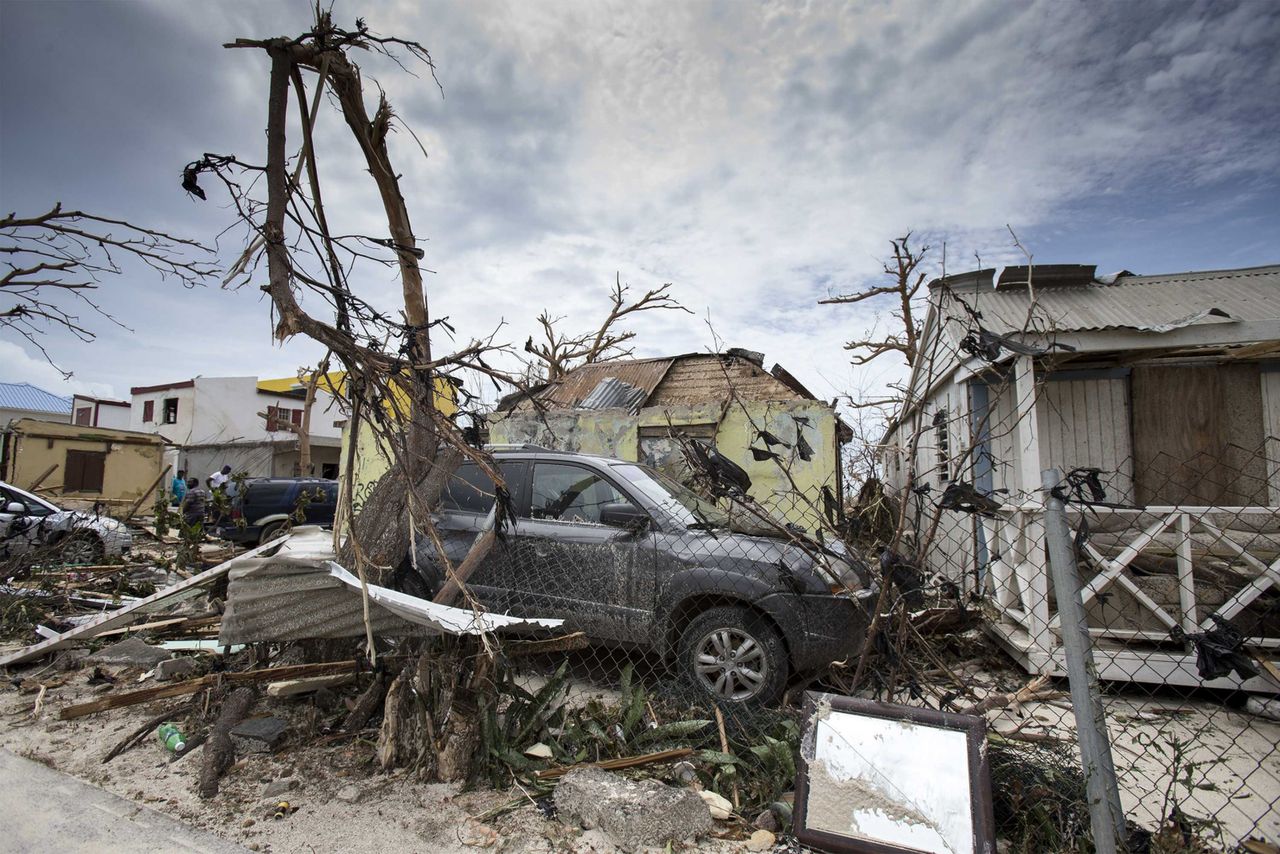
(560, 353)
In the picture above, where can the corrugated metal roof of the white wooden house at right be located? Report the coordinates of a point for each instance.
(1149, 303)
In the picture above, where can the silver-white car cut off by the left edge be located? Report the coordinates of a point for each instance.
(29, 524)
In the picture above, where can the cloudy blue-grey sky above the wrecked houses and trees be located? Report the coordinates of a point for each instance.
(758, 157)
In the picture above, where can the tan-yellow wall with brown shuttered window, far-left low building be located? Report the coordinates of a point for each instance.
(132, 463)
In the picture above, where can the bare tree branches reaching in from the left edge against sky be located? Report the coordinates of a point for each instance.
(56, 262)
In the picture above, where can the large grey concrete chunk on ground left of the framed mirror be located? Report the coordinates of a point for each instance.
(633, 814)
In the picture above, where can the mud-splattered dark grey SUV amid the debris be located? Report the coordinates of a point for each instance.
(633, 559)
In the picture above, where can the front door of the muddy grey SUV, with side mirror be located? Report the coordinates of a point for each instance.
(596, 577)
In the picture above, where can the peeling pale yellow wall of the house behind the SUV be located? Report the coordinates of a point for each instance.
(616, 433)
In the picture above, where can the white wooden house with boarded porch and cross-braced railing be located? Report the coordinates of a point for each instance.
(1169, 386)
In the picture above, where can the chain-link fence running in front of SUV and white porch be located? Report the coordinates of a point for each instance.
(698, 620)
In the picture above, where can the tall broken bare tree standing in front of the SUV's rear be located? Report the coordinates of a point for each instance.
(392, 375)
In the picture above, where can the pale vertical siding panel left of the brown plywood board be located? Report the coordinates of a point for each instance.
(1085, 423)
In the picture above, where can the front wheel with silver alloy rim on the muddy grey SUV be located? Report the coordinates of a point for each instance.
(734, 656)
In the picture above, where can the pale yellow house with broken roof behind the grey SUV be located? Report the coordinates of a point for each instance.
(766, 422)
